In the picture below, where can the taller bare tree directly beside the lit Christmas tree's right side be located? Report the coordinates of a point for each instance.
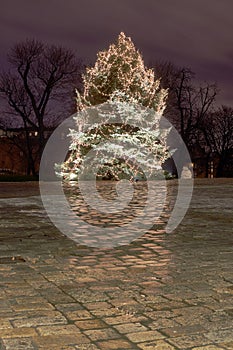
(188, 103)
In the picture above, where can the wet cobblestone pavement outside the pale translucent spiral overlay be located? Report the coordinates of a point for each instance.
(162, 291)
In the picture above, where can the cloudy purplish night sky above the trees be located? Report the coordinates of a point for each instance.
(194, 33)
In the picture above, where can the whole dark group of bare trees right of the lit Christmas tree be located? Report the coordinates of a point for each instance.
(206, 129)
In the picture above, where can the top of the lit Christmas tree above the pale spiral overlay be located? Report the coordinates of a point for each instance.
(121, 68)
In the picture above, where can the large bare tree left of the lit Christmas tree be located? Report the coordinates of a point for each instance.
(38, 86)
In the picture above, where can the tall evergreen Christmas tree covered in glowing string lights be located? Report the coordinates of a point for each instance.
(125, 144)
